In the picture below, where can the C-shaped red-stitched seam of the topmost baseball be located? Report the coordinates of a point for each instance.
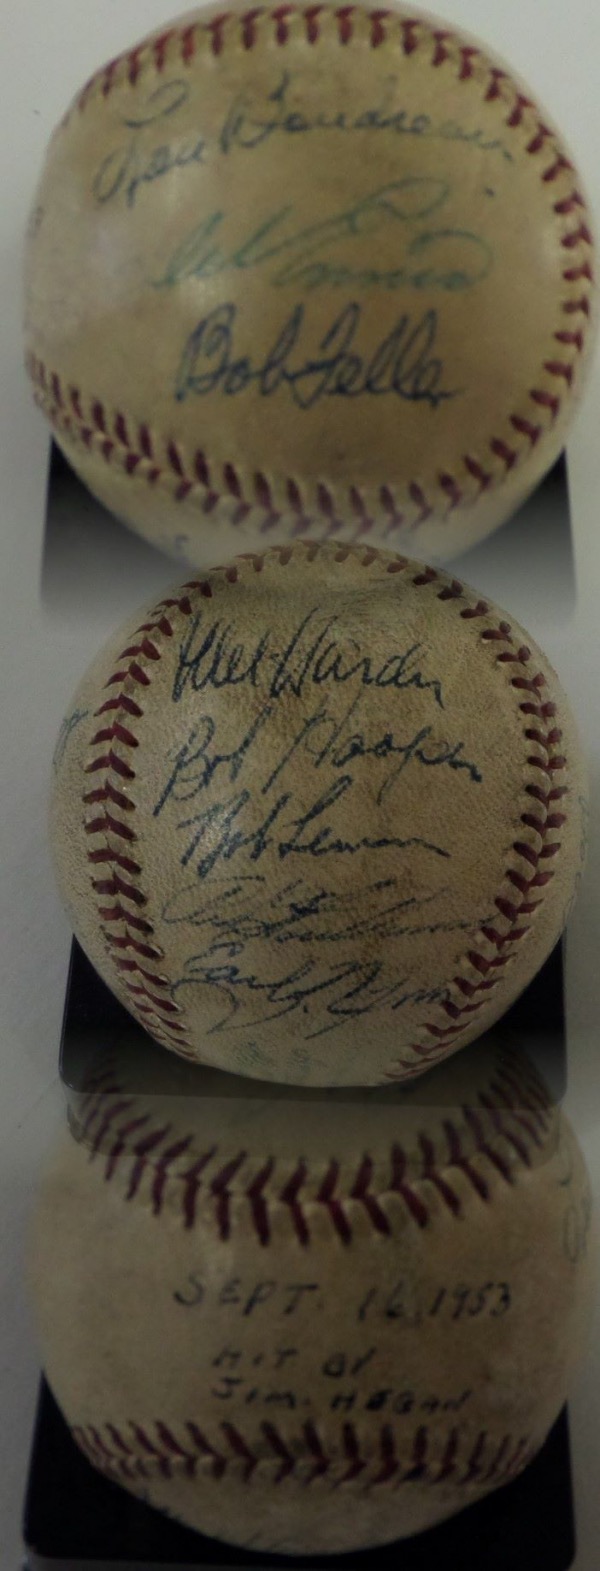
(86, 420)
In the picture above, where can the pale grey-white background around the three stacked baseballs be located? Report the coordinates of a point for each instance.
(48, 49)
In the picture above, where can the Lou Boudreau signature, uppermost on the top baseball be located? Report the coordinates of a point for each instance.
(249, 125)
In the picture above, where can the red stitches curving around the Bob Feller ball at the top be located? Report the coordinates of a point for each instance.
(444, 48)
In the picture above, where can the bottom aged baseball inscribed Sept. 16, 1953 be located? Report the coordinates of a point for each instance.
(315, 1322)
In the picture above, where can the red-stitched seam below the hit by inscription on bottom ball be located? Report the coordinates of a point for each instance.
(141, 1452)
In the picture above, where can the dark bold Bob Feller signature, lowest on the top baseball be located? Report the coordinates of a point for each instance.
(403, 365)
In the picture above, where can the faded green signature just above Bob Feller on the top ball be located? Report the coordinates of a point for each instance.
(447, 258)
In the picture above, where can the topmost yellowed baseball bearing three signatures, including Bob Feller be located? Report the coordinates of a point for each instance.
(309, 273)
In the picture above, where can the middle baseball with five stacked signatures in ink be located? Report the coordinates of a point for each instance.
(320, 818)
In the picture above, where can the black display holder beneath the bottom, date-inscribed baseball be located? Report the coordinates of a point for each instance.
(78, 1522)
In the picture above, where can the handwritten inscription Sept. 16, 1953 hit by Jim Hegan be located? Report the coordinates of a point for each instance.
(273, 1372)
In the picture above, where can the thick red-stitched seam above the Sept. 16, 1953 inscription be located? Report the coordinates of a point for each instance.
(502, 1135)
